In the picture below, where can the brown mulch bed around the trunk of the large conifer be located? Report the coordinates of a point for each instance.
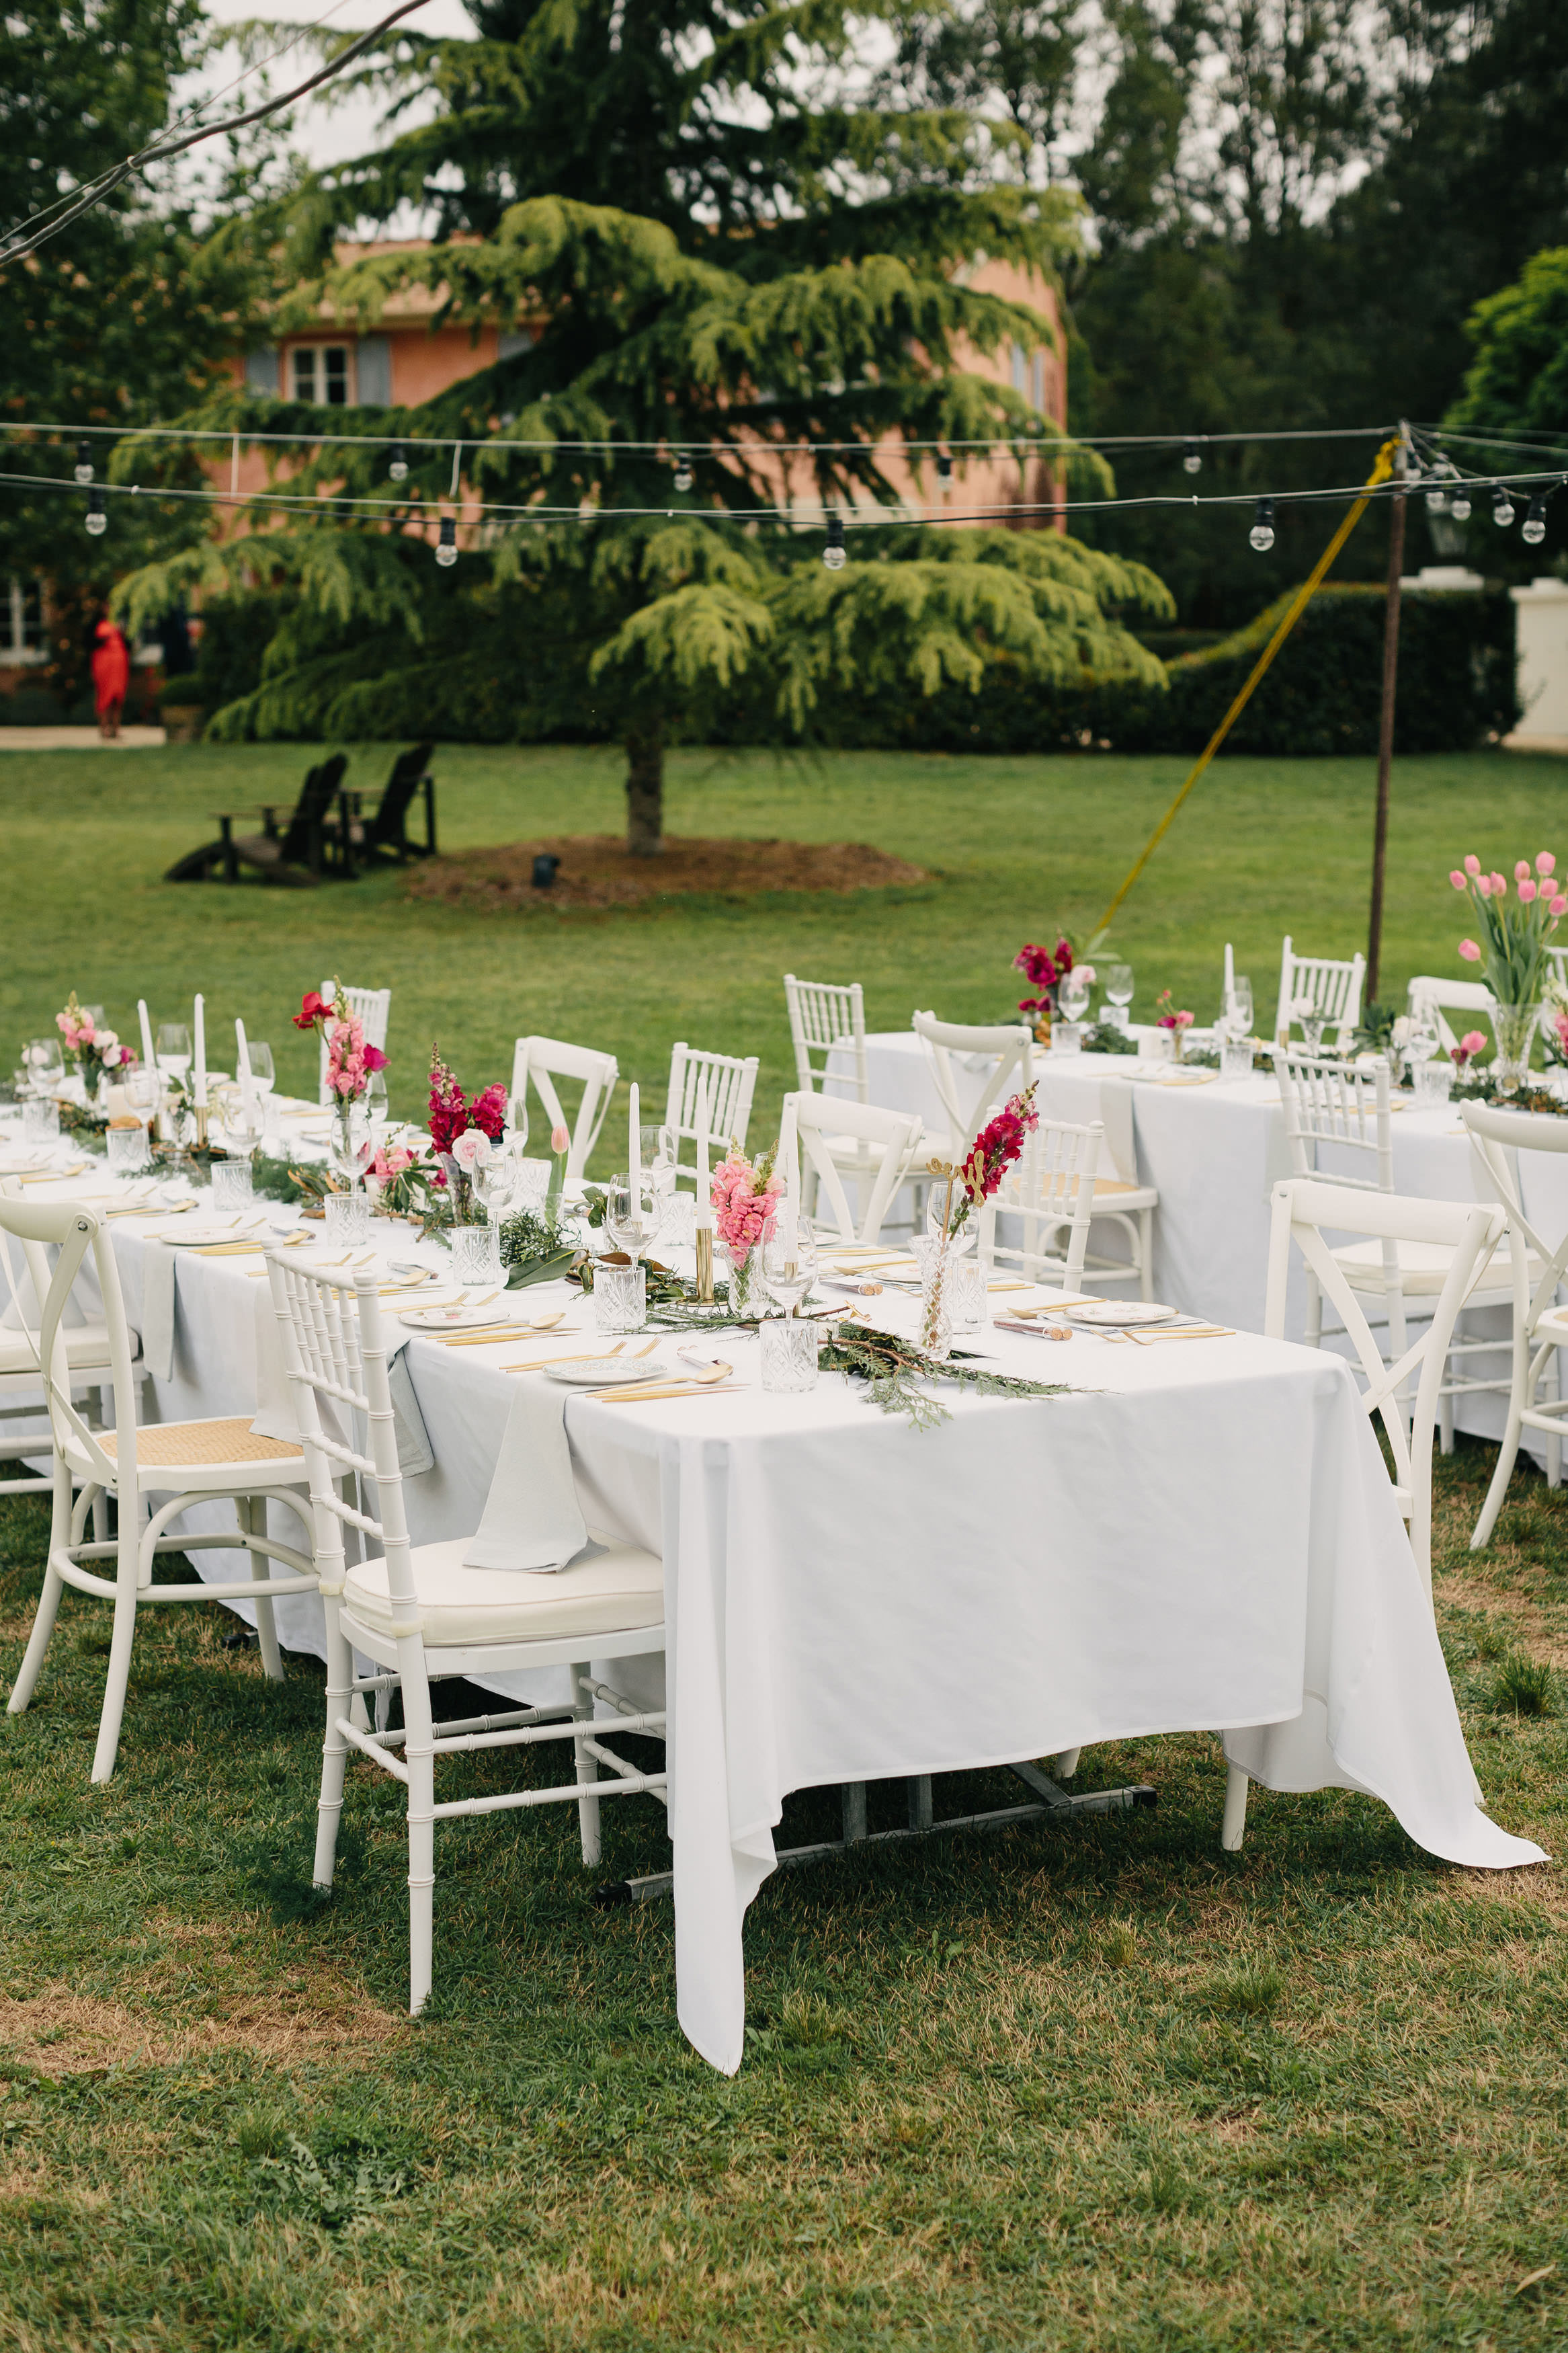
(598, 872)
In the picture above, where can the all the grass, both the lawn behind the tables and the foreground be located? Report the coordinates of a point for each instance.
(1097, 2088)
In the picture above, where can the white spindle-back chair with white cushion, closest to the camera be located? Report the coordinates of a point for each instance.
(420, 1615)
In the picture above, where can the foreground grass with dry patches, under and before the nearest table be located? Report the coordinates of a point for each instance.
(1097, 2088)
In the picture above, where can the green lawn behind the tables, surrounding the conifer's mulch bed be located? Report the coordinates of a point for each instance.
(1012, 846)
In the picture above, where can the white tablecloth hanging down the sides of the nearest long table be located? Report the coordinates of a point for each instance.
(1193, 1538)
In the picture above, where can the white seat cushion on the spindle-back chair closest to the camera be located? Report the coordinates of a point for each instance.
(610, 1594)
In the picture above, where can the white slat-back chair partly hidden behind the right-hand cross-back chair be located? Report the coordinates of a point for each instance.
(1346, 1105)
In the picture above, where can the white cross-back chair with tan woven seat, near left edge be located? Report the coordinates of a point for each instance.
(152, 1472)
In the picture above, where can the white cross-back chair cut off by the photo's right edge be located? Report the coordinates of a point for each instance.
(1536, 1269)
